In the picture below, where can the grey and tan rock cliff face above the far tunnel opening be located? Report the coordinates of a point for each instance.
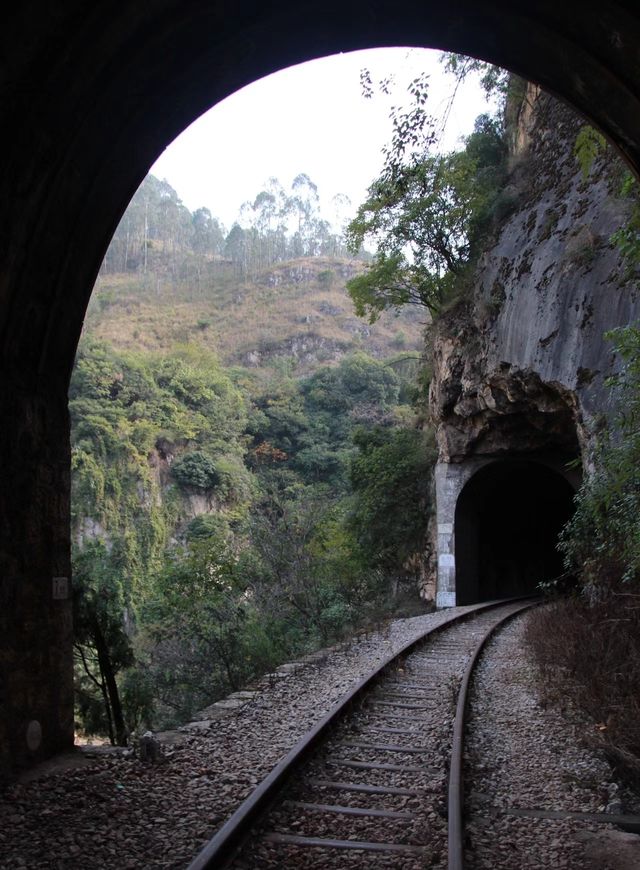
(520, 365)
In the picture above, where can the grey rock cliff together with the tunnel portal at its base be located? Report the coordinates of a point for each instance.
(521, 363)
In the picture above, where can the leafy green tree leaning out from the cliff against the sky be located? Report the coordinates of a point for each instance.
(428, 213)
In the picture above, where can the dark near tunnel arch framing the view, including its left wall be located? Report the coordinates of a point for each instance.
(89, 97)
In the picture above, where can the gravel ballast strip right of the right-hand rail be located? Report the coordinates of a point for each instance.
(522, 755)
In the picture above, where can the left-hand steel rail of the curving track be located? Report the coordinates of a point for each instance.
(225, 843)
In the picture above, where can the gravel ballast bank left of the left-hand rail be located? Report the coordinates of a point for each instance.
(121, 812)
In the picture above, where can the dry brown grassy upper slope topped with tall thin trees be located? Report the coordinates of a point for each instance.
(252, 295)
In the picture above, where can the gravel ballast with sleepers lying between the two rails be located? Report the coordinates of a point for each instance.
(416, 696)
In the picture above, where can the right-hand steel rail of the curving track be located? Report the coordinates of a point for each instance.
(456, 785)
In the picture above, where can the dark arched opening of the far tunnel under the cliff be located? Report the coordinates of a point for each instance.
(508, 518)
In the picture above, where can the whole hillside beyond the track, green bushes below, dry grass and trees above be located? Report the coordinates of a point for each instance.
(240, 439)
